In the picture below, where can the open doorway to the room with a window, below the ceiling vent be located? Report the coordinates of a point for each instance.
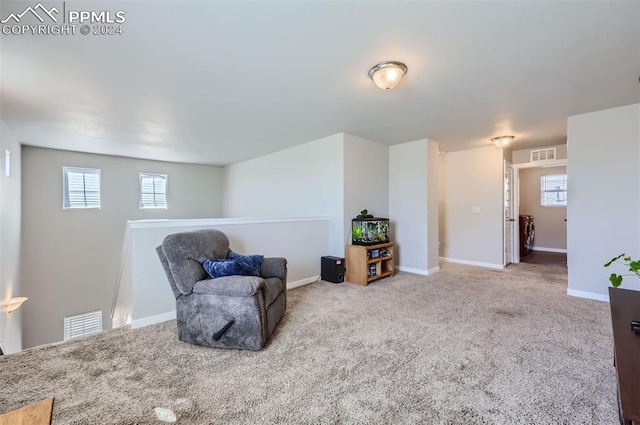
(539, 202)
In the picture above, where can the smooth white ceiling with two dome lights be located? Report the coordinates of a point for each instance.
(221, 82)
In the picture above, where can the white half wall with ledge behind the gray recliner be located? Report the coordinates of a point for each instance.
(144, 294)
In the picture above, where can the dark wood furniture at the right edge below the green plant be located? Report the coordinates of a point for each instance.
(625, 308)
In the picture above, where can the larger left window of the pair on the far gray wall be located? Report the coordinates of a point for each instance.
(81, 187)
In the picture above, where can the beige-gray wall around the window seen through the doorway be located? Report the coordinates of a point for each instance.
(551, 229)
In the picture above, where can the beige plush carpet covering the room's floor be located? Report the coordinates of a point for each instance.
(464, 346)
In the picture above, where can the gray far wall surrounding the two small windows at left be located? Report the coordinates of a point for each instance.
(70, 258)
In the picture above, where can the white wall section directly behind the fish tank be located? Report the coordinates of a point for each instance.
(366, 180)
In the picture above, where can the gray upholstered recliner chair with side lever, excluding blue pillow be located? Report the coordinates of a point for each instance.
(226, 312)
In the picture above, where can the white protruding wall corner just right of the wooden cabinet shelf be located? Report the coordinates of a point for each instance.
(413, 204)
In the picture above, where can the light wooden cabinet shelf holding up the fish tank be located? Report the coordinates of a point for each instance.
(366, 263)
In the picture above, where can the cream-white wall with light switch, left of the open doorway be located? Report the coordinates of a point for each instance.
(473, 178)
